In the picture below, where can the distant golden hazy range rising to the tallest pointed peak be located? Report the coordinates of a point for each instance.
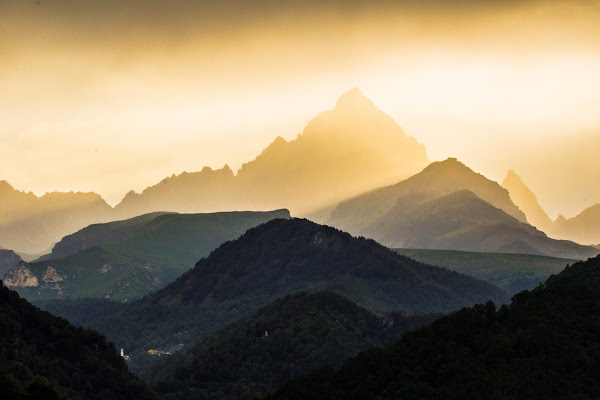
(342, 152)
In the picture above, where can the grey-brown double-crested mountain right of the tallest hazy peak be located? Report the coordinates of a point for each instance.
(448, 206)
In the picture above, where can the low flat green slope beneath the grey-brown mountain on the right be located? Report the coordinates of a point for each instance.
(511, 272)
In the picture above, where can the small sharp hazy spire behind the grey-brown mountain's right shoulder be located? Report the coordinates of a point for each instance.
(524, 198)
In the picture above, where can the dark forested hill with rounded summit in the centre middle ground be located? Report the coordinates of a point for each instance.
(272, 260)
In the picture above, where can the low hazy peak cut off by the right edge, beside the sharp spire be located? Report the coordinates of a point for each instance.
(583, 228)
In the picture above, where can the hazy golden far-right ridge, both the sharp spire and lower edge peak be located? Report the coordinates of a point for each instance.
(583, 228)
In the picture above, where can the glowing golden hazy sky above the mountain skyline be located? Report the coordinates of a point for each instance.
(113, 95)
